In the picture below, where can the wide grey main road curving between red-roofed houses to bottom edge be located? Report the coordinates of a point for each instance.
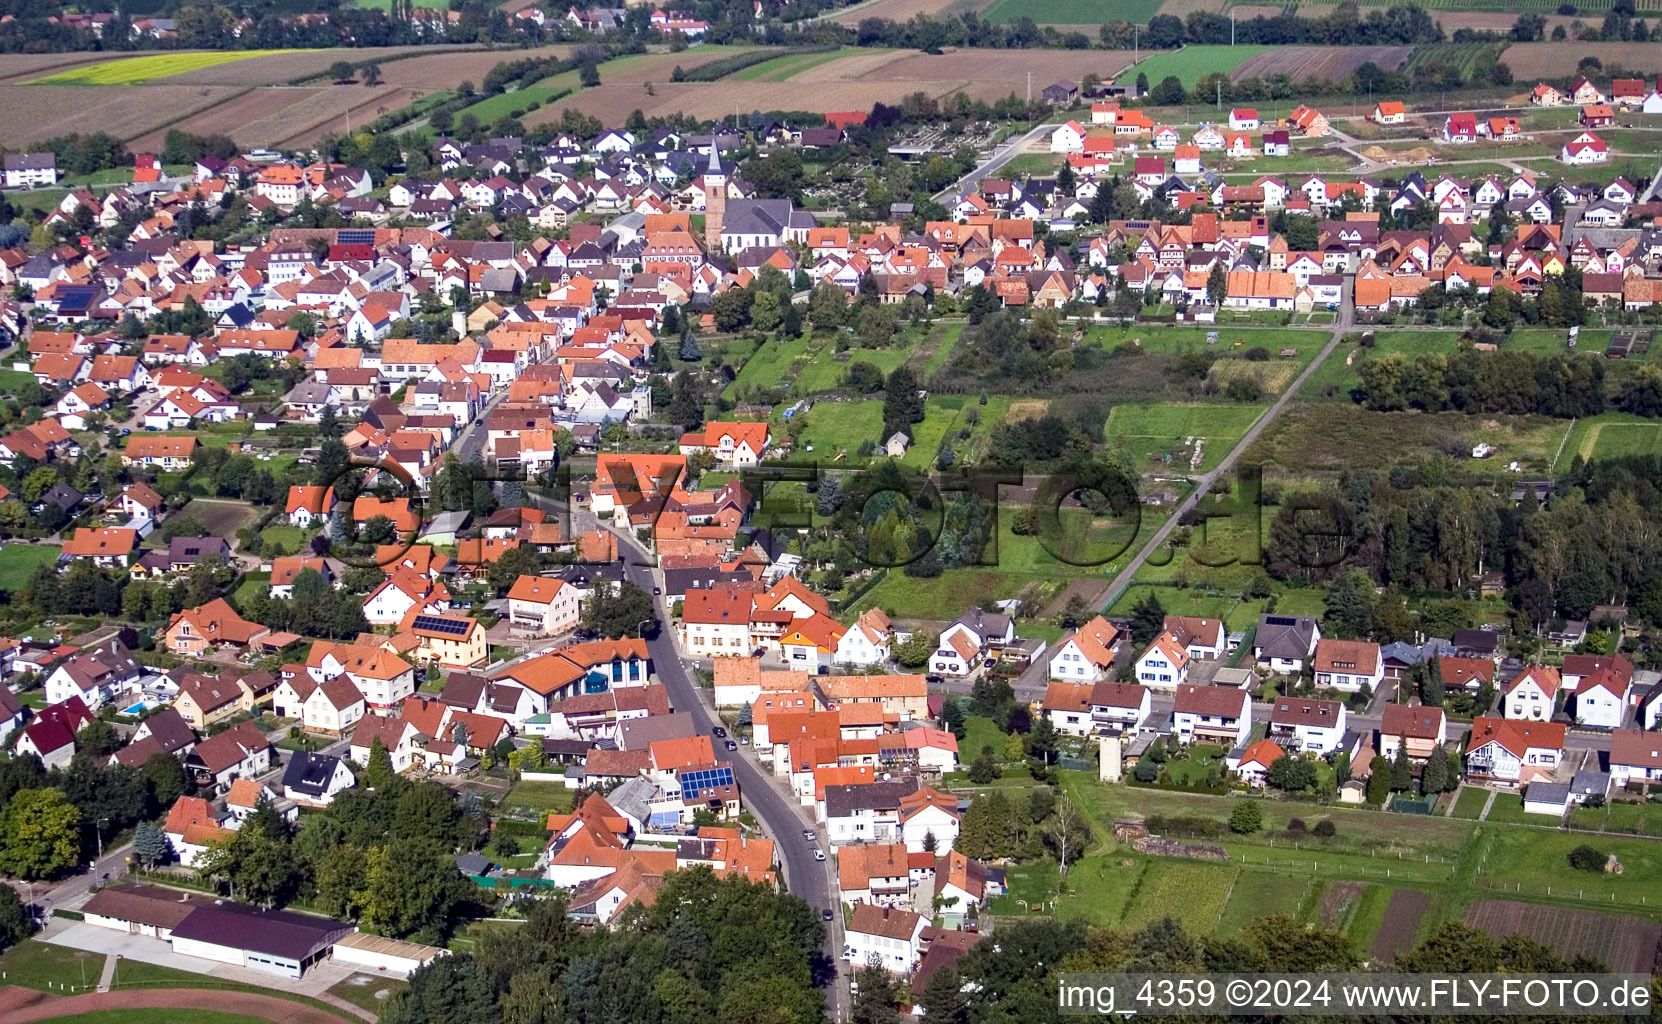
(780, 817)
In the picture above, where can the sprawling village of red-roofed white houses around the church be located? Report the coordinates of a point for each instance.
(383, 508)
